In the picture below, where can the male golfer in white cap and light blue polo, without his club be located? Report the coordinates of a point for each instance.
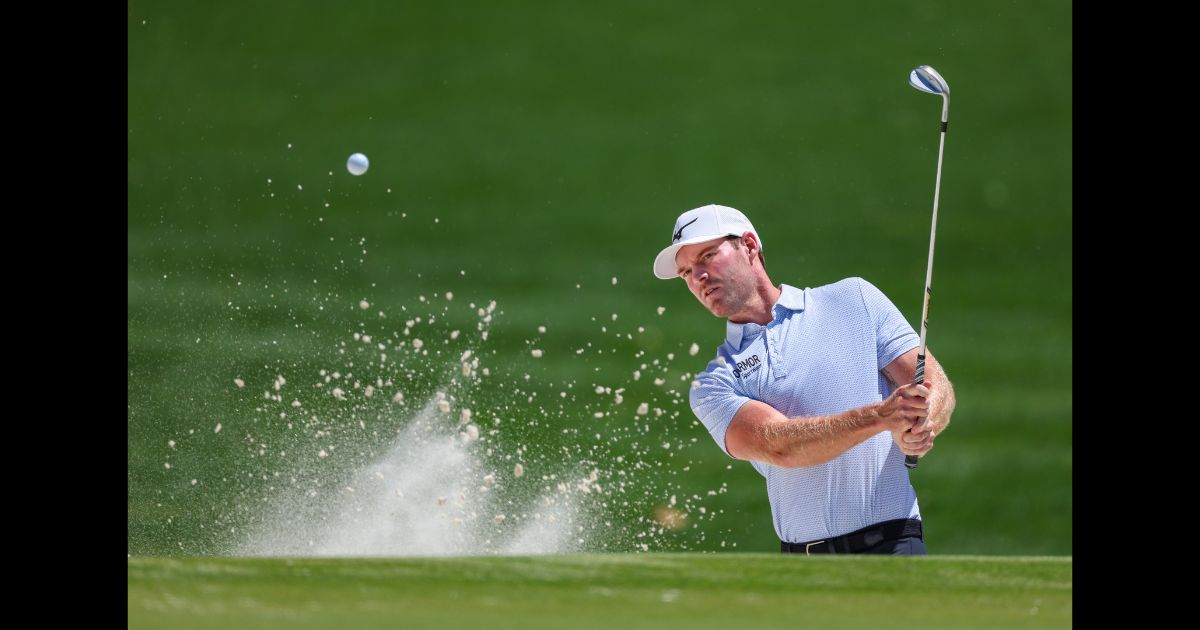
(814, 388)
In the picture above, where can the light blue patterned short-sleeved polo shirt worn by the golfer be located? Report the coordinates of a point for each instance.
(823, 353)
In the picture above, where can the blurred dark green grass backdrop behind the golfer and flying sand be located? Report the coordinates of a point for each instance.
(531, 153)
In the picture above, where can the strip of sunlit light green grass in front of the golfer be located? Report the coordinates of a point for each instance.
(602, 591)
